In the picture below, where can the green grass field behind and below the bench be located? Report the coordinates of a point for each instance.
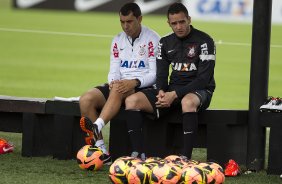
(64, 53)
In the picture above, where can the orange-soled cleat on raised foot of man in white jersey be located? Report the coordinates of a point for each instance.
(87, 126)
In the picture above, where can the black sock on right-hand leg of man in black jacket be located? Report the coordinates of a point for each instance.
(190, 128)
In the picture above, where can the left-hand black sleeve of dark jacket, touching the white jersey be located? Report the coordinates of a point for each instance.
(162, 68)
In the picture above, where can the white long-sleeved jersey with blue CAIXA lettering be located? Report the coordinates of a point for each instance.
(134, 61)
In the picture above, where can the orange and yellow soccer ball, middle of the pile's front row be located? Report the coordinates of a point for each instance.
(164, 173)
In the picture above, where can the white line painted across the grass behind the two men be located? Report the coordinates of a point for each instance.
(220, 42)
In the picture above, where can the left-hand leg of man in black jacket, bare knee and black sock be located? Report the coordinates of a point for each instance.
(135, 104)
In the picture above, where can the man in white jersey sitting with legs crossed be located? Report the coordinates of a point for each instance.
(132, 67)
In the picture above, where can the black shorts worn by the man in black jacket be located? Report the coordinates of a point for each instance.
(205, 97)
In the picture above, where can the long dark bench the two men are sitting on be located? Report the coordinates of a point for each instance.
(52, 128)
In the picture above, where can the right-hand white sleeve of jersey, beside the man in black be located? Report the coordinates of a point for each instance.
(150, 78)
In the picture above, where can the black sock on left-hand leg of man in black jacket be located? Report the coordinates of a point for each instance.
(134, 120)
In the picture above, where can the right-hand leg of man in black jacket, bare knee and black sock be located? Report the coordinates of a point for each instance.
(191, 103)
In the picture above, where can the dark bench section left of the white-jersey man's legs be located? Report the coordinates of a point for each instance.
(48, 127)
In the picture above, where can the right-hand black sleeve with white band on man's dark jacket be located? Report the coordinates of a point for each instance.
(205, 70)
